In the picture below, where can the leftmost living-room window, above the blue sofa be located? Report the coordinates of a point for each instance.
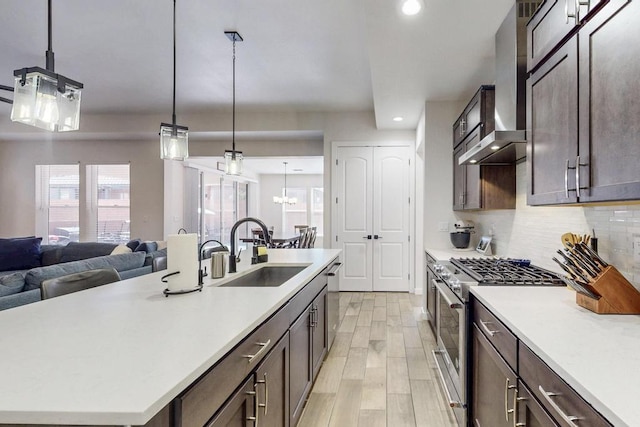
(57, 203)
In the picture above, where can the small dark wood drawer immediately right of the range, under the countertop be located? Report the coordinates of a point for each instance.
(497, 333)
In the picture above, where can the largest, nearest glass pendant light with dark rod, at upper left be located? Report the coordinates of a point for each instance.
(45, 99)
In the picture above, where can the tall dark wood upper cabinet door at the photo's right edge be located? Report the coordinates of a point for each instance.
(609, 147)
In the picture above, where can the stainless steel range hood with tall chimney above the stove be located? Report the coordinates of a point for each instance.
(507, 144)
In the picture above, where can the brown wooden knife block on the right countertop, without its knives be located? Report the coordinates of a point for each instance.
(617, 295)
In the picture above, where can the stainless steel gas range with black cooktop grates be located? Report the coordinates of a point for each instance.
(452, 280)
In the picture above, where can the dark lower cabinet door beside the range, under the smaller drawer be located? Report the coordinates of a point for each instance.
(493, 386)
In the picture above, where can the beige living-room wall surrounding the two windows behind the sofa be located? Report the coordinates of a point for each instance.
(17, 179)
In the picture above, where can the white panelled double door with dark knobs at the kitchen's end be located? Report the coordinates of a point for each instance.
(371, 188)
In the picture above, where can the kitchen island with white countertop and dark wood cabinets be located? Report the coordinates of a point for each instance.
(217, 357)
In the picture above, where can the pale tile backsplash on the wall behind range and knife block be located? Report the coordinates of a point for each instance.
(534, 232)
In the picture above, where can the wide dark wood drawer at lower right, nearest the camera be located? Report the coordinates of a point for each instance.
(560, 400)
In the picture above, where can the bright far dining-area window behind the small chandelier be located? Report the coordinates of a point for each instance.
(307, 211)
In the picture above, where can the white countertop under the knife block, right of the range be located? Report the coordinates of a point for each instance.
(597, 355)
